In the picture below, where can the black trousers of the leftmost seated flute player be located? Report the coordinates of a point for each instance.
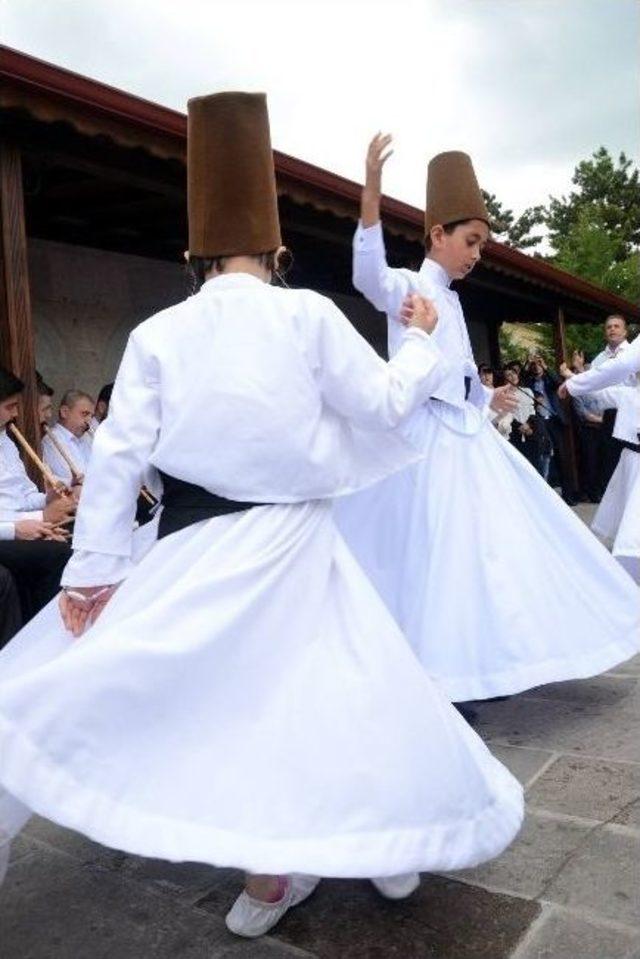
(36, 567)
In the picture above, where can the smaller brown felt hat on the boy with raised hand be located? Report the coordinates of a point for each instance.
(452, 191)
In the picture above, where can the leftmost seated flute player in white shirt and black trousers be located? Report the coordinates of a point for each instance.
(33, 543)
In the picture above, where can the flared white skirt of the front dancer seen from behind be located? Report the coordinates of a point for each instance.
(246, 700)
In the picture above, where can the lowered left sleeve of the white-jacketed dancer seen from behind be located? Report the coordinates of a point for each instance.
(121, 451)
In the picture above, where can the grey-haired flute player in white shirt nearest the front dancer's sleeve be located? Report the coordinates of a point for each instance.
(70, 433)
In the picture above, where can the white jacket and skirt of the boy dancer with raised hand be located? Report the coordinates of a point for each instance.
(497, 585)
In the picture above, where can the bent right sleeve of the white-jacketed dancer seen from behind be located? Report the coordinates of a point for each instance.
(359, 385)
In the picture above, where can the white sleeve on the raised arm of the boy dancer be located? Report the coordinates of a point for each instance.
(383, 286)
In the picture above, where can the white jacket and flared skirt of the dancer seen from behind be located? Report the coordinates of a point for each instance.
(245, 699)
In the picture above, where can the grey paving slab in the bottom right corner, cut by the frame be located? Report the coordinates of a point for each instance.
(558, 934)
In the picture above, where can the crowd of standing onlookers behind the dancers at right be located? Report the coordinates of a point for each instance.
(537, 428)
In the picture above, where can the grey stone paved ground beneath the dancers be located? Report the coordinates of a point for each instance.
(568, 888)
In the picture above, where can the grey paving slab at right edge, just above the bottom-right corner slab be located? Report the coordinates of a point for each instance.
(602, 876)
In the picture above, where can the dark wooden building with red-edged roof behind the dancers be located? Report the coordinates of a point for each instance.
(93, 210)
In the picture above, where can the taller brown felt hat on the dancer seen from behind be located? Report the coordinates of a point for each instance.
(231, 184)
